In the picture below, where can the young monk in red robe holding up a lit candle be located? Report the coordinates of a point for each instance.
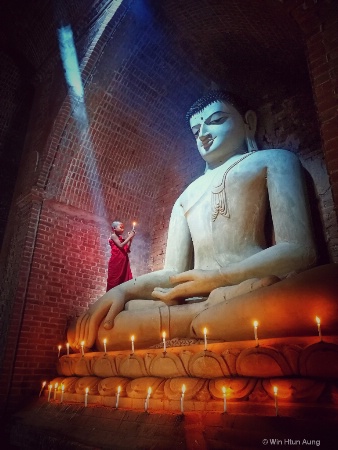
(119, 267)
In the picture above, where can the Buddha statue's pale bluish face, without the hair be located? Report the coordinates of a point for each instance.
(220, 132)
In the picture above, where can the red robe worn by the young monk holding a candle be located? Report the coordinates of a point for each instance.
(118, 267)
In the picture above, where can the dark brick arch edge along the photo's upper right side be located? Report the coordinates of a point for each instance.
(318, 21)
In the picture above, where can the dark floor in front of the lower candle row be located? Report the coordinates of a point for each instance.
(50, 426)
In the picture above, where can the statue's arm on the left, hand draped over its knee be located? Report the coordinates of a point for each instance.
(178, 259)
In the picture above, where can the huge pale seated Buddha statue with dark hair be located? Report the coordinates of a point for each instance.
(221, 271)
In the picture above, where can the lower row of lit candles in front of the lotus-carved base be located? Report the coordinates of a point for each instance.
(146, 402)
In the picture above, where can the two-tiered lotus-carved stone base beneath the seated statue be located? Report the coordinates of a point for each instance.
(305, 371)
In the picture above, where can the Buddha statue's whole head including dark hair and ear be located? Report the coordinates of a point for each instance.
(223, 126)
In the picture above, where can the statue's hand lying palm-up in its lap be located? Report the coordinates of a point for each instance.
(190, 284)
